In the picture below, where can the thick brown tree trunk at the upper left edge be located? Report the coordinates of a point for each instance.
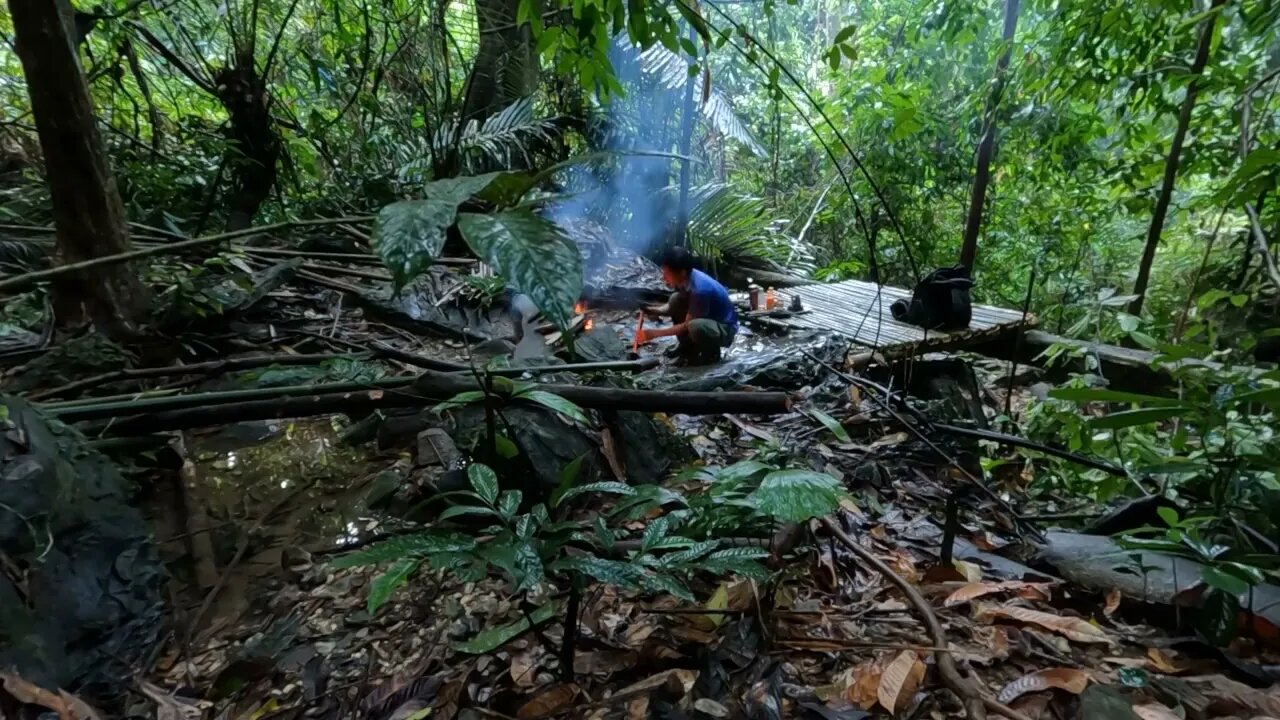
(89, 213)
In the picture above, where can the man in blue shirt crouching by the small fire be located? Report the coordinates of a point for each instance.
(705, 318)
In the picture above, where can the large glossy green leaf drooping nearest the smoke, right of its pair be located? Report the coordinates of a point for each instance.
(533, 254)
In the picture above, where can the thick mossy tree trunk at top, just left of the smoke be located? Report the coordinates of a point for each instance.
(506, 67)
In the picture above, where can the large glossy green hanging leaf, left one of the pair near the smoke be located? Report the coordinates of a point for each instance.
(409, 235)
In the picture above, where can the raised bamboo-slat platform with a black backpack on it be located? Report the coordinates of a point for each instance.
(861, 312)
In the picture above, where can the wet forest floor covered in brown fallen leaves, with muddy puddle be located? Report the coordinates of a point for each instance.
(249, 518)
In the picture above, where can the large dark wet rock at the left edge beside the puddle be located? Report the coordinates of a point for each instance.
(90, 607)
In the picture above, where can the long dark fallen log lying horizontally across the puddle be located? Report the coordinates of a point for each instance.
(220, 408)
